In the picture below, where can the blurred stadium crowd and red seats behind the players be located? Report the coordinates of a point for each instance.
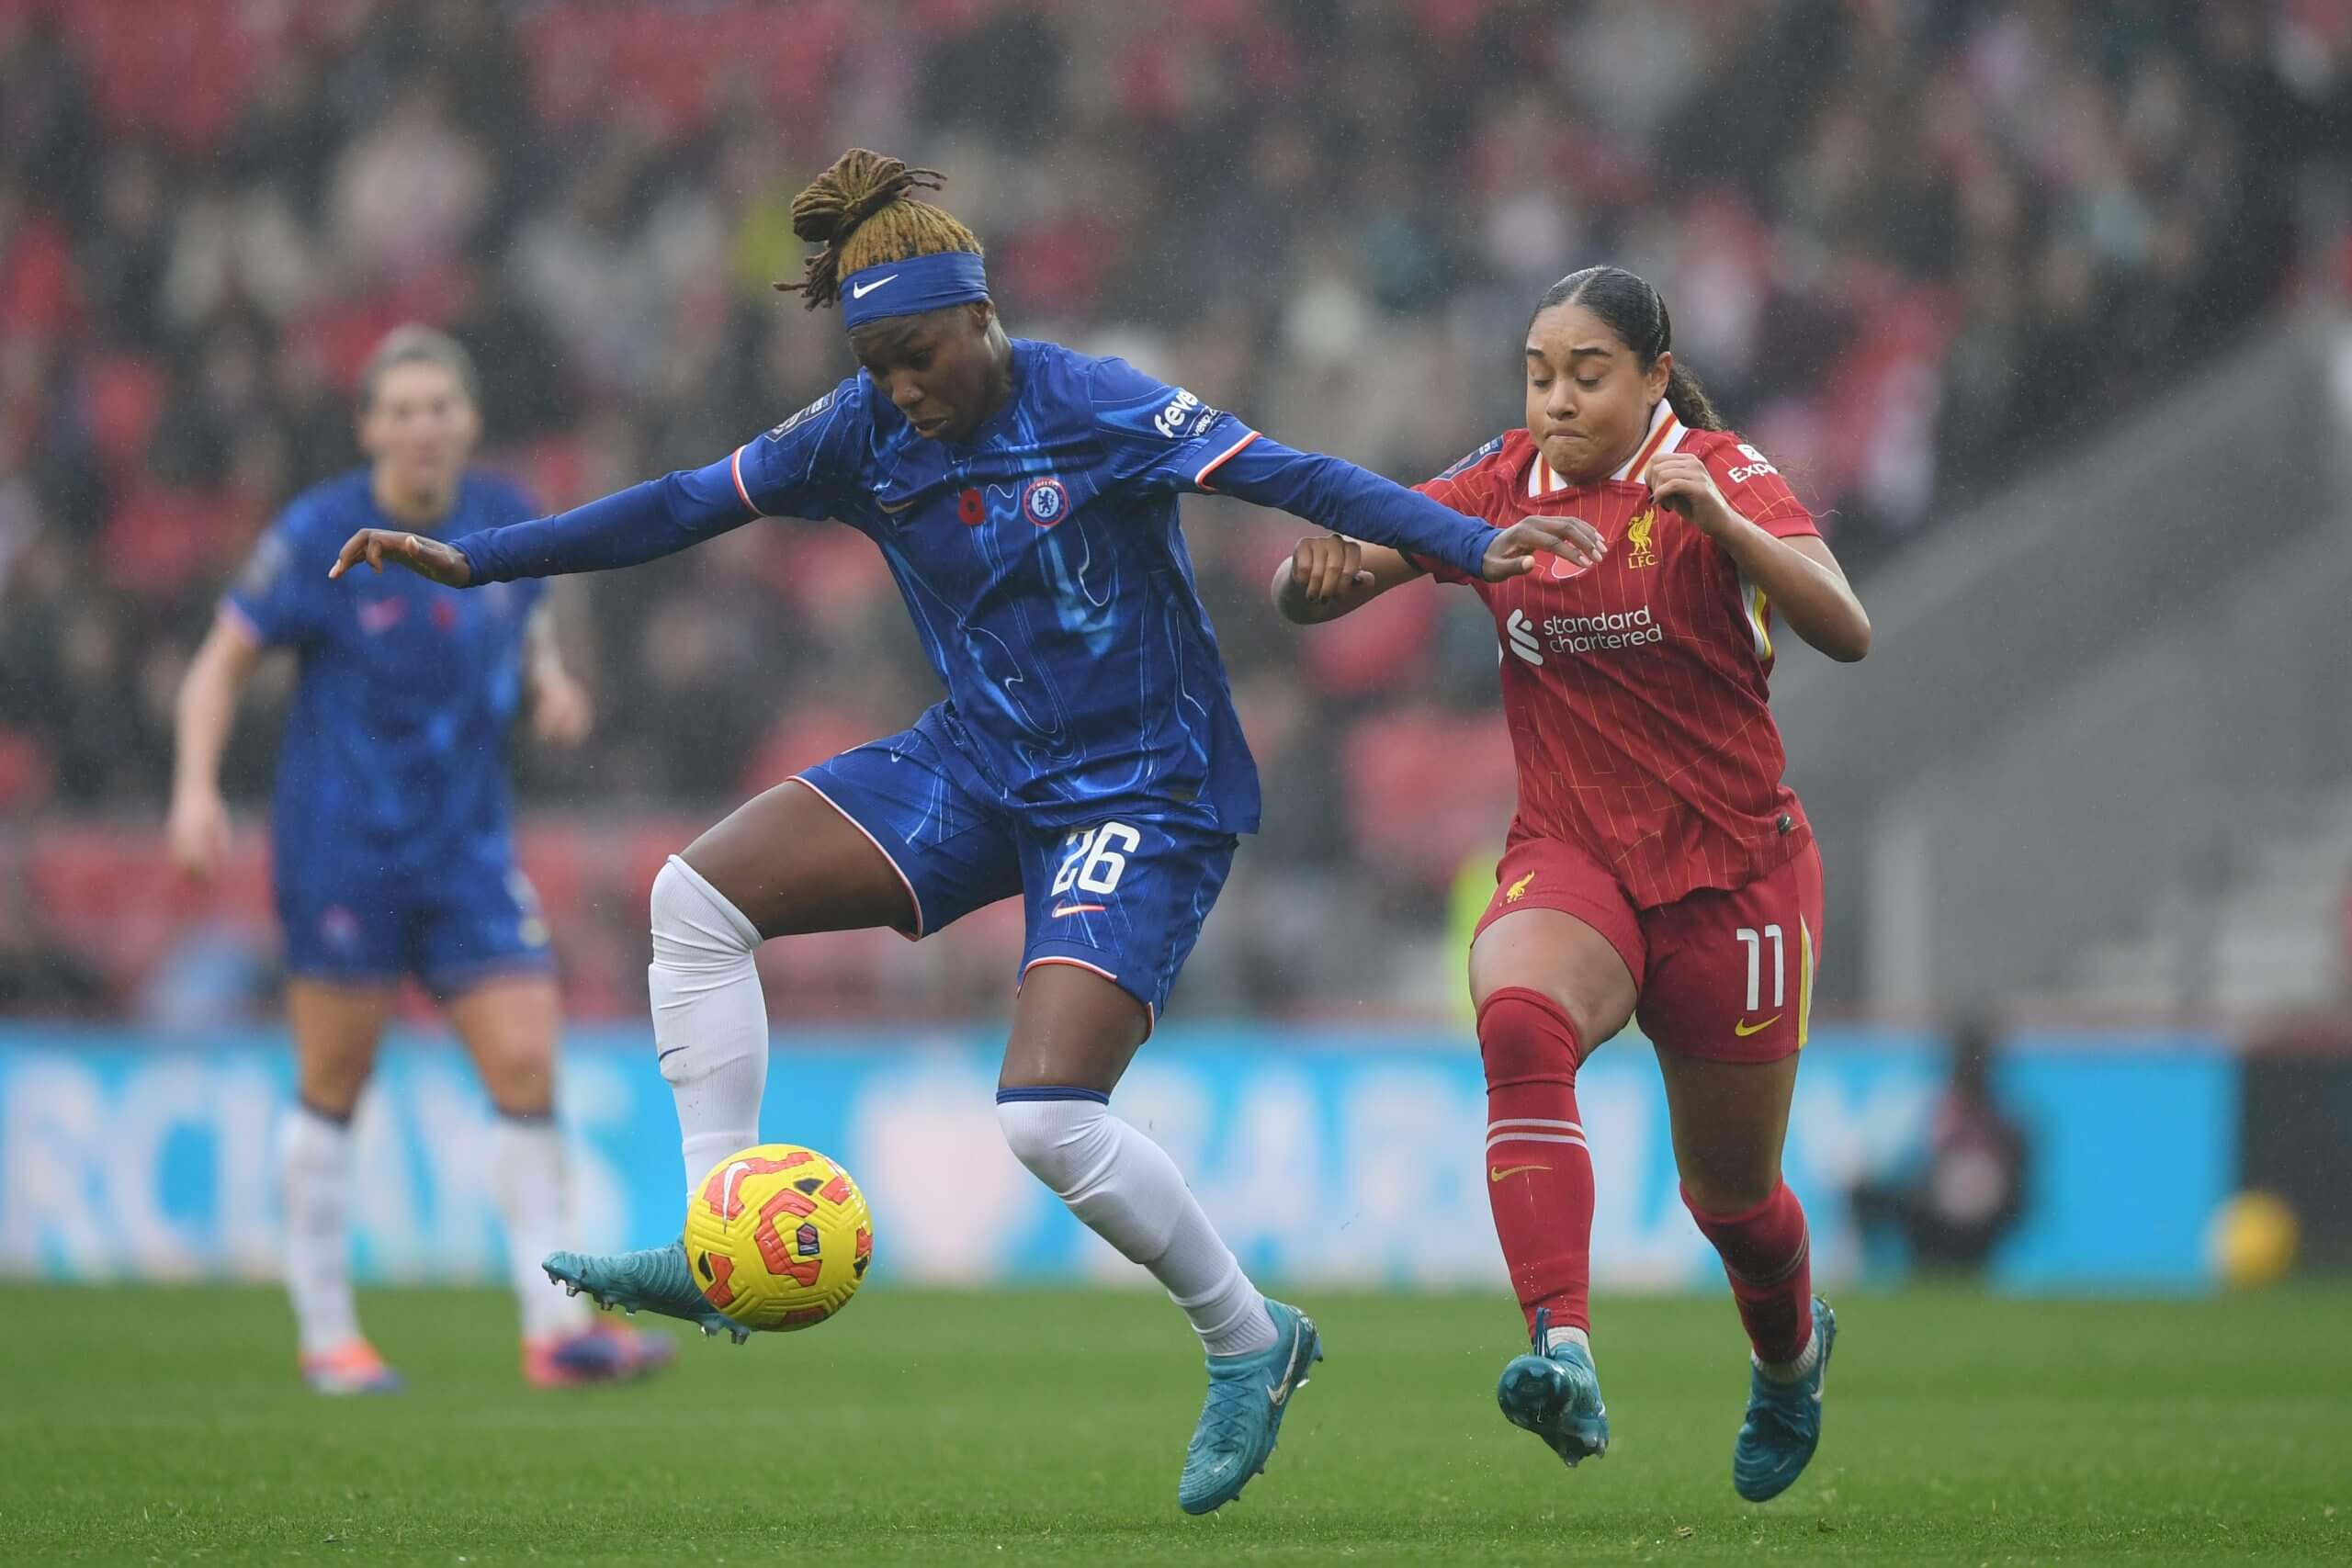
(1909, 243)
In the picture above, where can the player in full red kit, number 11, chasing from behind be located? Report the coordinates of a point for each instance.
(1657, 866)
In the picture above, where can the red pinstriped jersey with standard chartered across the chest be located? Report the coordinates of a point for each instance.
(1638, 690)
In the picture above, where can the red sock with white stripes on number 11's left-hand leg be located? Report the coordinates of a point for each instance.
(1539, 1174)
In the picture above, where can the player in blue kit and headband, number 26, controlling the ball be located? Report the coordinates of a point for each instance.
(1088, 758)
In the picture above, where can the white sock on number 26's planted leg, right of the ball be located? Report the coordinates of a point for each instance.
(1130, 1193)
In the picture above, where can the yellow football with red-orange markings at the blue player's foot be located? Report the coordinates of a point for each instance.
(780, 1238)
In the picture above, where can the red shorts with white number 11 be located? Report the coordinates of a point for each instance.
(1716, 974)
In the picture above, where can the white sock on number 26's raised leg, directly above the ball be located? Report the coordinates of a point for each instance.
(709, 1017)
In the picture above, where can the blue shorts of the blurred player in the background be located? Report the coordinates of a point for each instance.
(462, 925)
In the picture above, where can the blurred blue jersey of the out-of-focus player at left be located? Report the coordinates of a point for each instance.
(394, 756)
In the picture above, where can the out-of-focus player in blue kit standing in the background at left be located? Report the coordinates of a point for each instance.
(392, 843)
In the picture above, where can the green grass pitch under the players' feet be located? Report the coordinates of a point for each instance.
(163, 1426)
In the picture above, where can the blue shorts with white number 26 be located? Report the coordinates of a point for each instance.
(1123, 897)
